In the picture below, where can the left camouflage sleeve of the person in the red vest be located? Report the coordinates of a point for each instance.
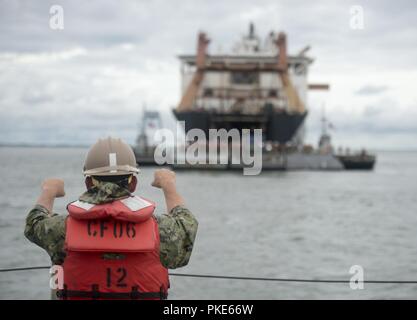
(47, 231)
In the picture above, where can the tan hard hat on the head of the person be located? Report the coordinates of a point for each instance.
(110, 157)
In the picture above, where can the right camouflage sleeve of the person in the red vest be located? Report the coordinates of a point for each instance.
(177, 232)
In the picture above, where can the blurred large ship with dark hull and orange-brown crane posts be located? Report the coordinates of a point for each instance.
(257, 86)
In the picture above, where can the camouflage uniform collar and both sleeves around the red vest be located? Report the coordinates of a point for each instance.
(177, 229)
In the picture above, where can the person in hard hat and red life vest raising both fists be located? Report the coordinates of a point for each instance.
(111, 245)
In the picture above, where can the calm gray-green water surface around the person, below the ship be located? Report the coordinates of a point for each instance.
(278, 224)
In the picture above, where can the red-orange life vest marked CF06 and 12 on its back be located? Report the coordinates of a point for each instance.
(113, 252)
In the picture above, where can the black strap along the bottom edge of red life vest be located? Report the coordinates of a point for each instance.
(135, 294)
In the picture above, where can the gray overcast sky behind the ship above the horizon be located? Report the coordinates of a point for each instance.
(91, 79)
